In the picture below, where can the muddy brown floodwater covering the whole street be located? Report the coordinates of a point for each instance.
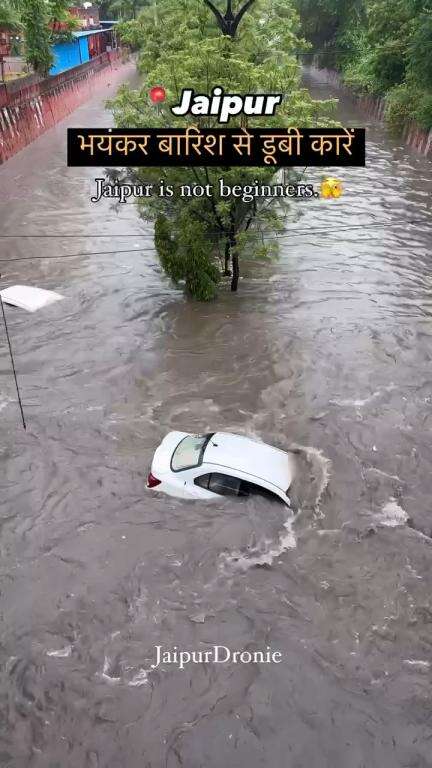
(330, 349)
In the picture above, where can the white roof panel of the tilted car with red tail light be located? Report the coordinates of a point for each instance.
(244, 454)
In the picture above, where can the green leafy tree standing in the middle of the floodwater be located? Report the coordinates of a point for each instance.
(200, 238)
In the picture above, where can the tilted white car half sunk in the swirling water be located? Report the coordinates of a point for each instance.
(220, 464)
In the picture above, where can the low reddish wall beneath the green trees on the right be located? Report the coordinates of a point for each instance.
(414, 136)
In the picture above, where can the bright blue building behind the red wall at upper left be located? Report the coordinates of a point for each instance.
(81, 48)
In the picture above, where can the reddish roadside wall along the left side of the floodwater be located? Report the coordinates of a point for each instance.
(30, 105)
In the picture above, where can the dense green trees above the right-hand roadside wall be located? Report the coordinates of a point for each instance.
(382, 47)
